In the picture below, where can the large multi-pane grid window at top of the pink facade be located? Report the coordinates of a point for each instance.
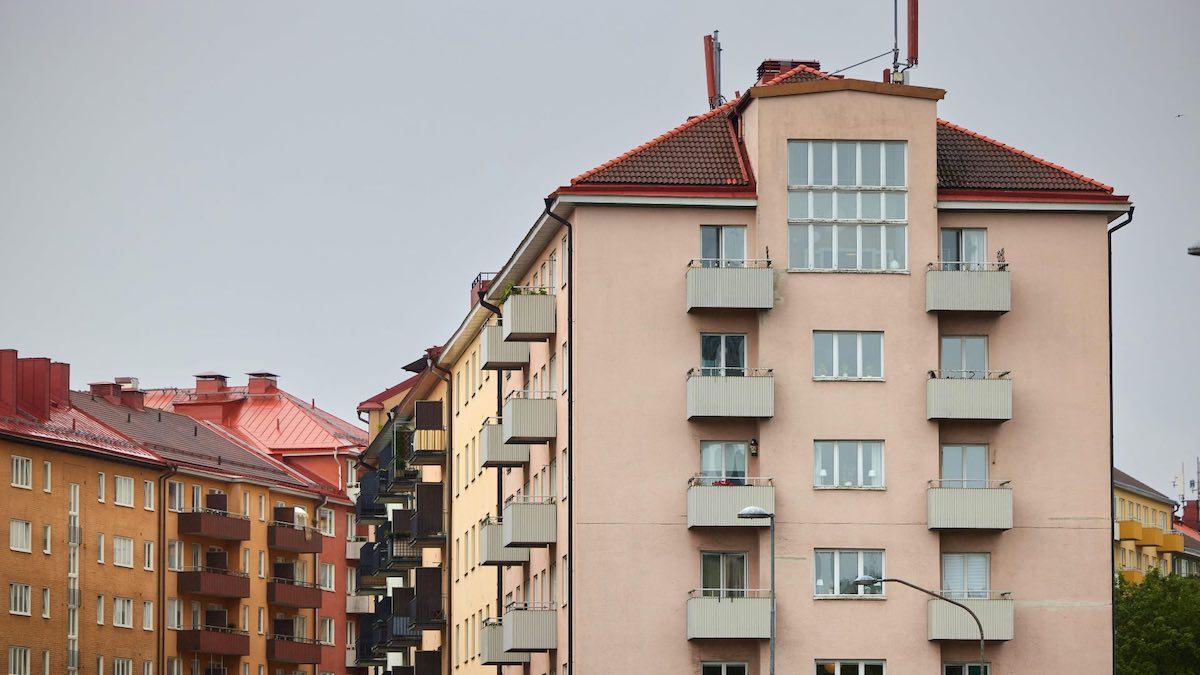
(848, 206)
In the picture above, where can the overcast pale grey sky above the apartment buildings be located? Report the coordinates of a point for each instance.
(310, 188)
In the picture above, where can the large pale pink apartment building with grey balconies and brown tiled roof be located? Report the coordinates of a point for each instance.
(885, 331)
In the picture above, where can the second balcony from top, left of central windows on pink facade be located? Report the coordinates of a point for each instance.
(717, 392)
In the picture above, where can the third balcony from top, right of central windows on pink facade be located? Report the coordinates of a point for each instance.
(969, 505)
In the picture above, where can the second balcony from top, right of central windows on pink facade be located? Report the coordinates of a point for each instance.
(969, 396)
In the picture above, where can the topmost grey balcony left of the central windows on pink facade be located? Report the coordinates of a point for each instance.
(730, 285)
